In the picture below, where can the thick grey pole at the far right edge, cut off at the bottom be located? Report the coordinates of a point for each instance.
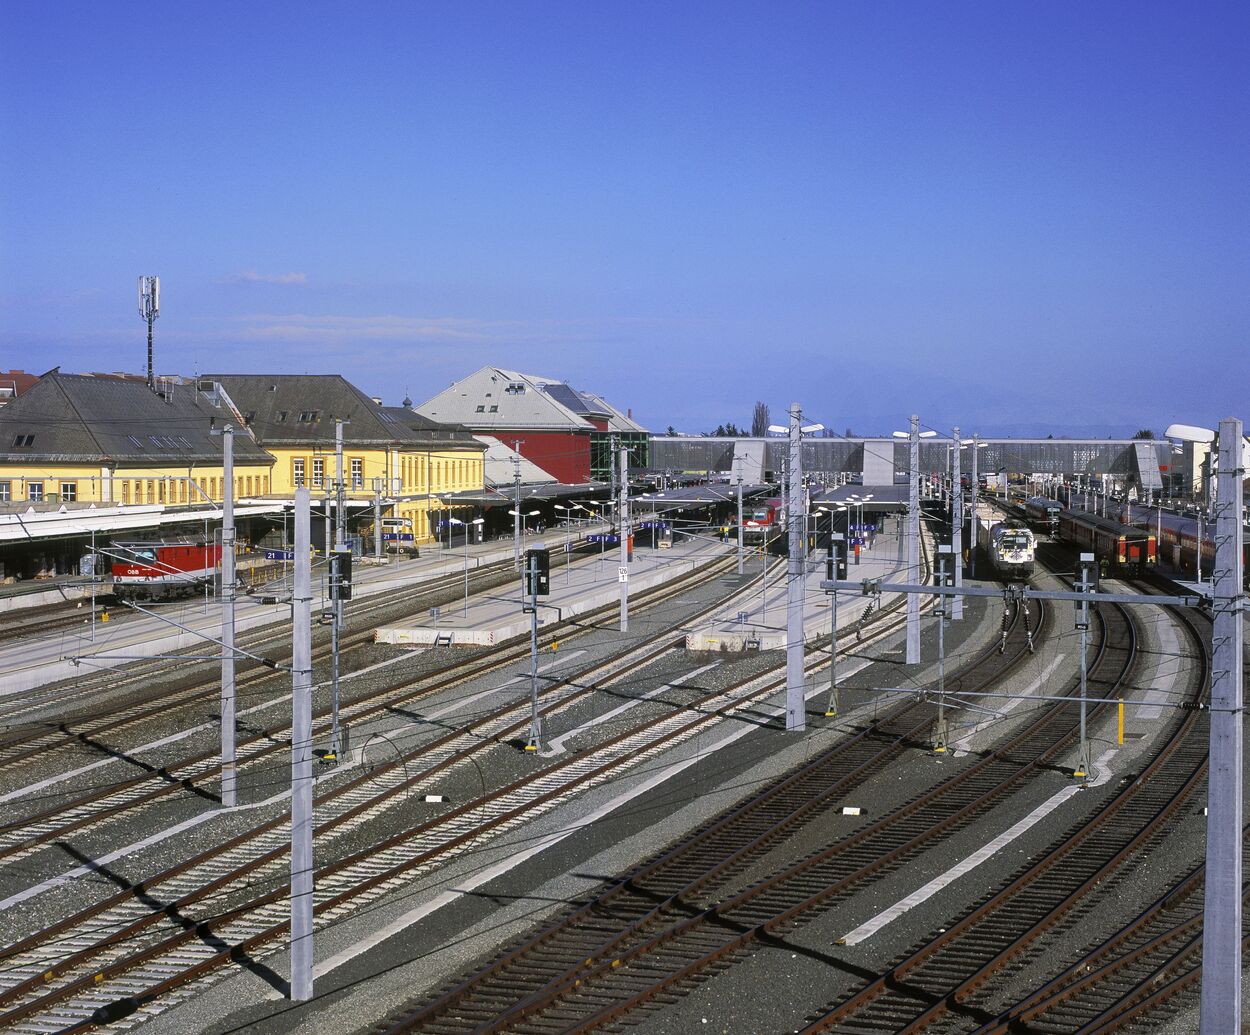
(1222, 917)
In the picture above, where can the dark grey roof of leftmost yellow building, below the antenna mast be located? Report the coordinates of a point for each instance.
(76, 419)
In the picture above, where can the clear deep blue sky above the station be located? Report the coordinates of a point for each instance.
(996, 214)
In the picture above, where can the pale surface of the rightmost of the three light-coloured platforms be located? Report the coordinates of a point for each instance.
(763, 624)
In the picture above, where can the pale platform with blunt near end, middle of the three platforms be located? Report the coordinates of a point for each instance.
(587, 586)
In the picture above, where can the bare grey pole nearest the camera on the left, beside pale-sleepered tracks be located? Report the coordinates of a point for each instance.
(302, 758)
